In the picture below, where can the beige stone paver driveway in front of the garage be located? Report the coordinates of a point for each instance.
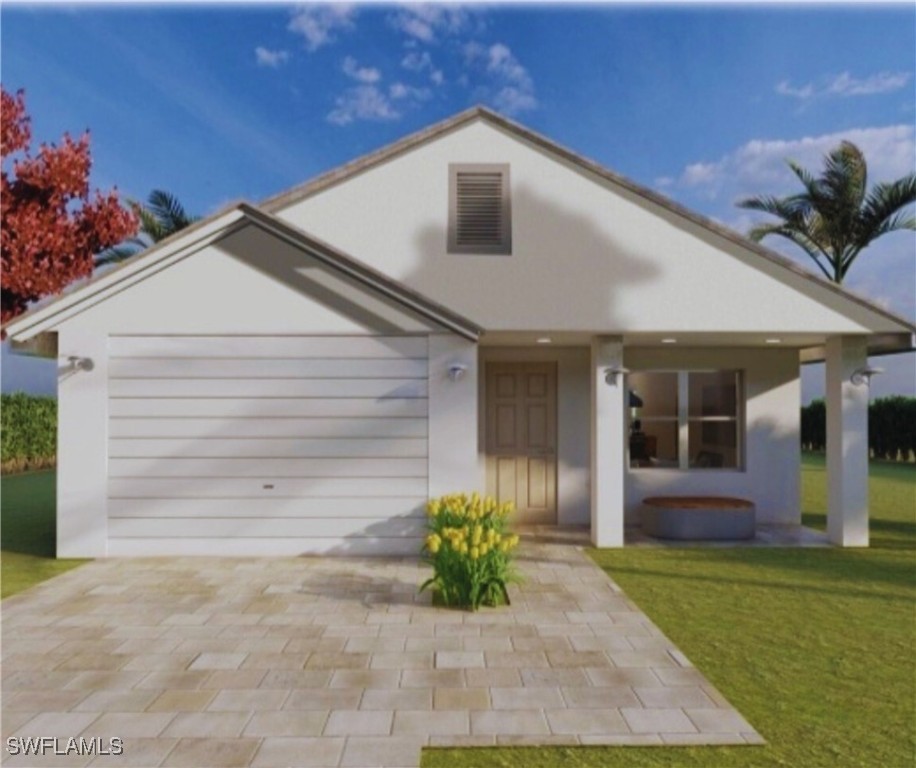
(327, 662)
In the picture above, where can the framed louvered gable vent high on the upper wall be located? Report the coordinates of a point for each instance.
(479, 214)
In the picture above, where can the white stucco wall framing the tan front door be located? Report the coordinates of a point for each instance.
(573, 423)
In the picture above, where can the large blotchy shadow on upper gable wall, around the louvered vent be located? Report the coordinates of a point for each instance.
(562, 268)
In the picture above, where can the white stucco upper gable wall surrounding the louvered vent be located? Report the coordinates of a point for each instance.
(586, 255)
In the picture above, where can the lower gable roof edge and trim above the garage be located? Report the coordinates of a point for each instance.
(177, 247)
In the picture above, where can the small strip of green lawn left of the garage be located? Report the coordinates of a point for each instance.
(27, 534)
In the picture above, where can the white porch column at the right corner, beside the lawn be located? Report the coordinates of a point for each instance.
(847, 443)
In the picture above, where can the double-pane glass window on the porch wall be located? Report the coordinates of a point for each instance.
(685, 419)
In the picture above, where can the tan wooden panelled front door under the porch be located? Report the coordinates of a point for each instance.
(521, 429)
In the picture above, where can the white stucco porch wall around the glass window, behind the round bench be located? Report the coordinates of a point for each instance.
(771, 473)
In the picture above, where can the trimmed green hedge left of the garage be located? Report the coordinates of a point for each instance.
(28, 432)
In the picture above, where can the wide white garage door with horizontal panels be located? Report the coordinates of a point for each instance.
(266, 445)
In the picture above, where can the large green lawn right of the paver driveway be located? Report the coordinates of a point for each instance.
(814, 647)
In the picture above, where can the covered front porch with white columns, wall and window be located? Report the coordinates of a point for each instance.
(731, 429)
